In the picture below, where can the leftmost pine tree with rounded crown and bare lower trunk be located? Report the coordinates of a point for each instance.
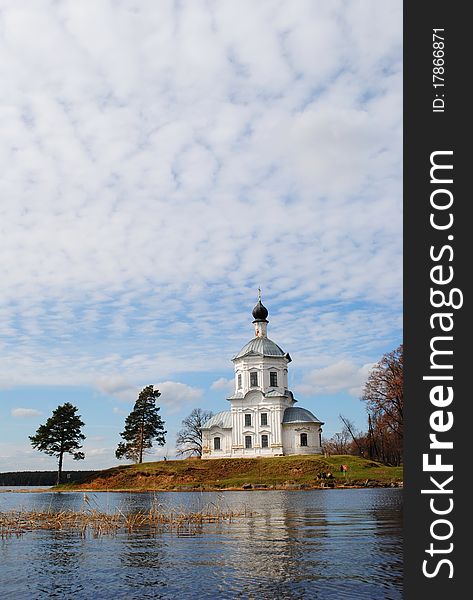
(61, 434)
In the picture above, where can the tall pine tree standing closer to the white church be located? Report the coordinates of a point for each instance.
(142, 426)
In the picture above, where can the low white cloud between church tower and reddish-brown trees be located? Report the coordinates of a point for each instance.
(337, 377)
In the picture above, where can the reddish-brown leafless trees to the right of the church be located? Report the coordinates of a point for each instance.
(384, 398)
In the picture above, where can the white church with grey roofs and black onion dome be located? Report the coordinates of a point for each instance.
(263, 419)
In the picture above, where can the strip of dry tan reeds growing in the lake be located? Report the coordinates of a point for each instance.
(91, 521)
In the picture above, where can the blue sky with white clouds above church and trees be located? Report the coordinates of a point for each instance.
(160, 161)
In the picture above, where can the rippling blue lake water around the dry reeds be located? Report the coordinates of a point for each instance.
(319, 544)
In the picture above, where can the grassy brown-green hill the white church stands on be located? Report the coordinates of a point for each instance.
(288, 472)
